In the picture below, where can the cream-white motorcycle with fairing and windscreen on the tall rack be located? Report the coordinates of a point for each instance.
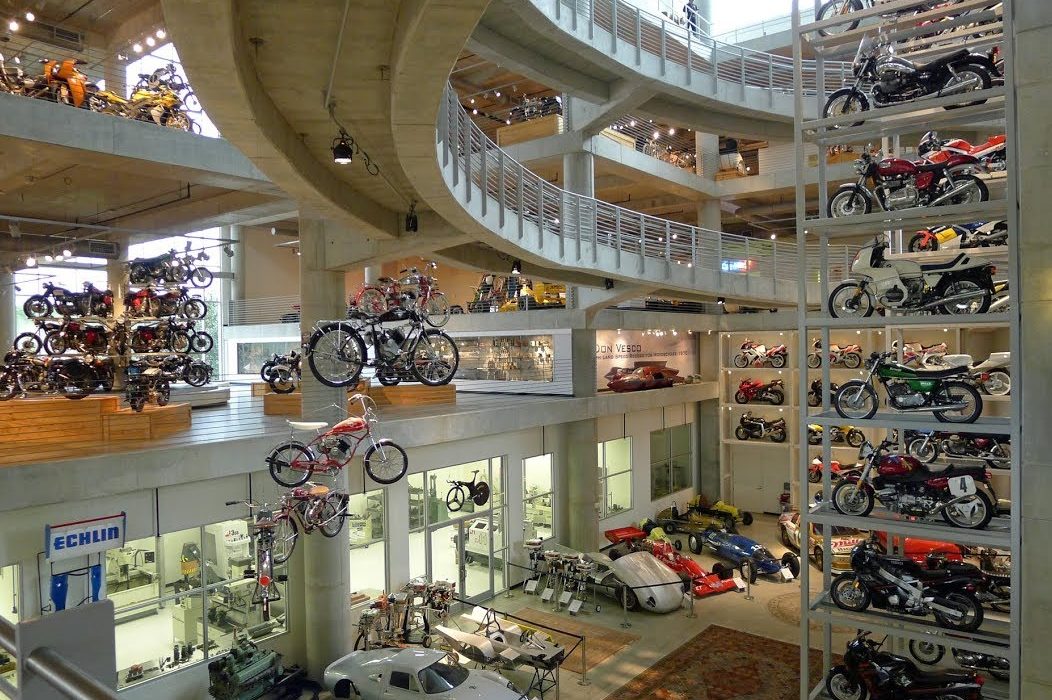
(962, 286)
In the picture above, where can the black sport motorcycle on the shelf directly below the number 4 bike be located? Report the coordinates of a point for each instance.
(899, 585)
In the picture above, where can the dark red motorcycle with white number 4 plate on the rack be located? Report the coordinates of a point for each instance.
(963, 495)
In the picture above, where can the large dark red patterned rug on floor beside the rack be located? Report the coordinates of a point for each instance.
(723, 665)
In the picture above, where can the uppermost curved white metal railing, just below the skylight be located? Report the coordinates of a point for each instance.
(632, 28)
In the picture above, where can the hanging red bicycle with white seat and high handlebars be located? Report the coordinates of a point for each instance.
(294, 463)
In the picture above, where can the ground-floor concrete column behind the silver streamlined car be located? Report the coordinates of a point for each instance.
(574, 446)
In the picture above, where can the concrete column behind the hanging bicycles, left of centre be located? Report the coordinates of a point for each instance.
(327, 562)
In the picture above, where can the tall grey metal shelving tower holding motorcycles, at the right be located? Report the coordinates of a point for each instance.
(1000, 634)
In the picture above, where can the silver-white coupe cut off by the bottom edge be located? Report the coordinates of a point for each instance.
(407, 674)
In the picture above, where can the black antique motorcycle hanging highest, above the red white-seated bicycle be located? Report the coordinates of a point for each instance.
(337, 350)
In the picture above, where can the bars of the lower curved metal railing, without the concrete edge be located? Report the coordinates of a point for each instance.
(480, 168)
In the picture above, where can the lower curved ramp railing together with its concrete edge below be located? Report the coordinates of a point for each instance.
(573, 232)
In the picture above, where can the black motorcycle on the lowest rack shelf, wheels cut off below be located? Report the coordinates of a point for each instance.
(869, 673)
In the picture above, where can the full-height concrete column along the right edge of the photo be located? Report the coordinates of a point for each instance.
(1034, 85)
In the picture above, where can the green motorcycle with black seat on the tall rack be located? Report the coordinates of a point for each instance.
(943, 392)
